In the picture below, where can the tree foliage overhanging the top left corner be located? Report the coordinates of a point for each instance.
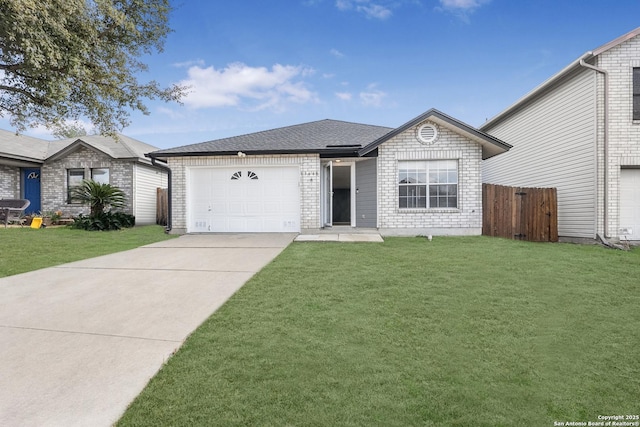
(62, 60)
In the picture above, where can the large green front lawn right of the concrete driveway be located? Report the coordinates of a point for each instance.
(455, 332)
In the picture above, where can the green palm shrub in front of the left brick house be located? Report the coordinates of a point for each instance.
(102, 198)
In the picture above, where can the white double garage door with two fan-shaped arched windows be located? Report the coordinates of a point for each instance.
(243, 199)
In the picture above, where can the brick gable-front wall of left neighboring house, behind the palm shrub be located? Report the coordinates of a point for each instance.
(54, 179)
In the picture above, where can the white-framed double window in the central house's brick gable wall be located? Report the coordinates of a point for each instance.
(428, 184)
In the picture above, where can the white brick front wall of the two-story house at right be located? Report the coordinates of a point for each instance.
(624, 132)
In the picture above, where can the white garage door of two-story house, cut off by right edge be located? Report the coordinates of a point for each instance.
(630, 203)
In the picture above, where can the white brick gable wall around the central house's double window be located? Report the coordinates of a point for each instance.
(466, 219)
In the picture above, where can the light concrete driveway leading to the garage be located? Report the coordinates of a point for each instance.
(80, 341)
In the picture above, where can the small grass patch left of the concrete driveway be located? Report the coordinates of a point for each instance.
(26, 249)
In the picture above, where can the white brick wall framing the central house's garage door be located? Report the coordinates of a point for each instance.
(309, 165)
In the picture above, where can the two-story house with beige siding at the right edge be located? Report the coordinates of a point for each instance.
(579, 131)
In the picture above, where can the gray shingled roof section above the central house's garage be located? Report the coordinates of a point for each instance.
(319, 136)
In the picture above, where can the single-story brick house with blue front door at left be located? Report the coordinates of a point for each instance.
(44, 171)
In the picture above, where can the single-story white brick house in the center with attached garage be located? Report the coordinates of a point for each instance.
(421, 178)
